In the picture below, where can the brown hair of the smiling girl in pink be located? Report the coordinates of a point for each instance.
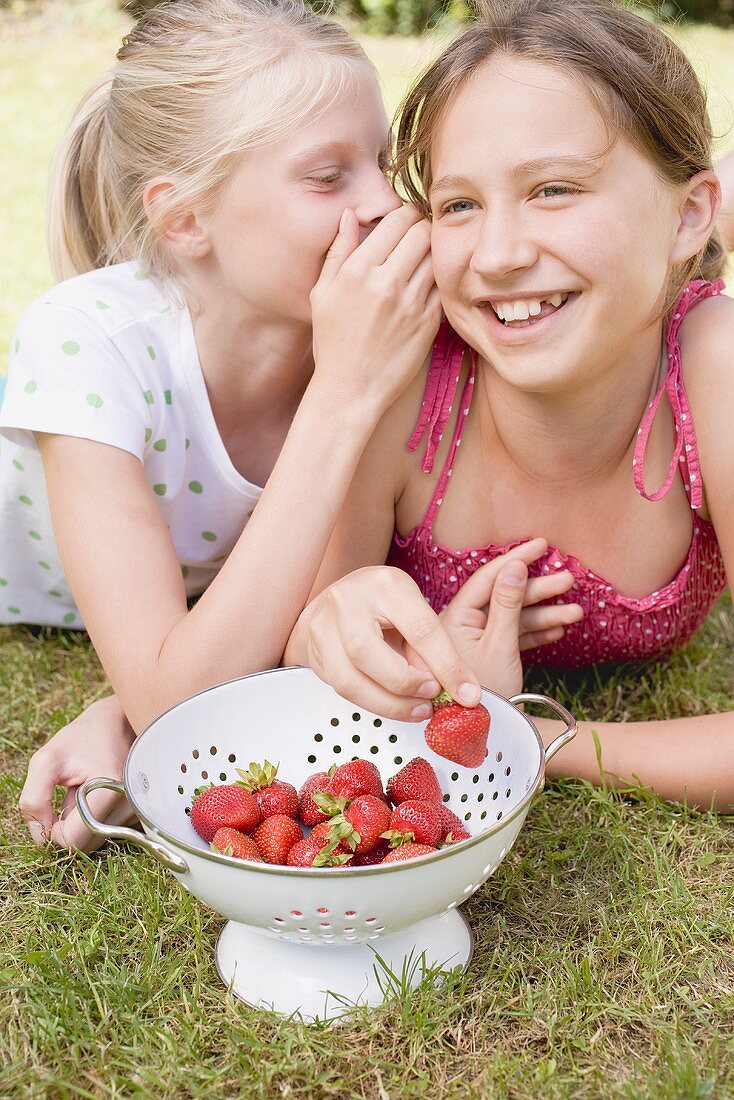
(642, 82)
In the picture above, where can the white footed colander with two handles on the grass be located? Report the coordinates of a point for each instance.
(314, 941)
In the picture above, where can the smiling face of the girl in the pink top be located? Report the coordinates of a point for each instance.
(551, 240)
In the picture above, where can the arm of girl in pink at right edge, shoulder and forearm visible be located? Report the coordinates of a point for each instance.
(685, 760)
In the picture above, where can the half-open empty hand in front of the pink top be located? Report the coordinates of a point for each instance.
(495, 617)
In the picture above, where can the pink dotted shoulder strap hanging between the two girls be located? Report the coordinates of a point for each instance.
(437, 405)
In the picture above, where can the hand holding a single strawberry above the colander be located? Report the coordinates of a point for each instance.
(354, 636)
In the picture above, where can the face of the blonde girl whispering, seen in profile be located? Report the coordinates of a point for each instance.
(280, 213)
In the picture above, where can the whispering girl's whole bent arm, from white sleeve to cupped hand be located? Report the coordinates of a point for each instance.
(376, 314)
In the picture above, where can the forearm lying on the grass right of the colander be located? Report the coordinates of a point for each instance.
(683, 760)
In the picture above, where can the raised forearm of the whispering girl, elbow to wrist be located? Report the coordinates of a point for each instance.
(243, 623)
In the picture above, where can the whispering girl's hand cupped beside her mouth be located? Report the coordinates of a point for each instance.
(376, 310)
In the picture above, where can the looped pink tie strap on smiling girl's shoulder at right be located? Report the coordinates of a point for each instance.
(686, 455)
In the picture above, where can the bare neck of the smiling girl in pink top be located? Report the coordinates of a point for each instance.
(580, 434)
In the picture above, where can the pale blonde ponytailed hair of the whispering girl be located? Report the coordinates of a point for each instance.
(196, 84)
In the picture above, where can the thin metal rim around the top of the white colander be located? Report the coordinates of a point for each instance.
(327, 872)
